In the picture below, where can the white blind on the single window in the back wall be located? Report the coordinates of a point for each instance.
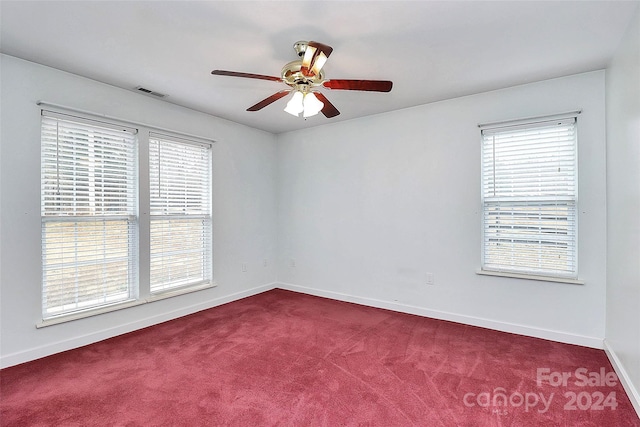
(529, 196)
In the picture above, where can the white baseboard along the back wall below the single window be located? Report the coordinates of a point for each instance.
(513, 328)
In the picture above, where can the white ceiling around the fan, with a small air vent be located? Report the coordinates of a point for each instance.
(431, 50)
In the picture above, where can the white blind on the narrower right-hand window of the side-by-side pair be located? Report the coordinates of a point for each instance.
(181, 235)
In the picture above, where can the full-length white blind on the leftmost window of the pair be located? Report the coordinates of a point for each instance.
(88, 210)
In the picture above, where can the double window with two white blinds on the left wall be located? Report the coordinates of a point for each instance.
(93, 242)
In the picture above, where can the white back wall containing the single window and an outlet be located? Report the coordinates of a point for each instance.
(367, 207)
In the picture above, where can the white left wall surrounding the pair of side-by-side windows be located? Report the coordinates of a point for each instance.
(244, 169)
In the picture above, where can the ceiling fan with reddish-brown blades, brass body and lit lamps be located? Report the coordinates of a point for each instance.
(304, 77)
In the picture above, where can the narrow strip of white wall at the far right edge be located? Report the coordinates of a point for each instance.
(623, 209)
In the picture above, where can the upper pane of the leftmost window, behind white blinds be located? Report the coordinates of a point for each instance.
(86, 170)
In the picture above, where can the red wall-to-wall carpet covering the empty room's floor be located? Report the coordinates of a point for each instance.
(282, 358)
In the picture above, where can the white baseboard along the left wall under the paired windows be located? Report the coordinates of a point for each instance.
(79, 341)
